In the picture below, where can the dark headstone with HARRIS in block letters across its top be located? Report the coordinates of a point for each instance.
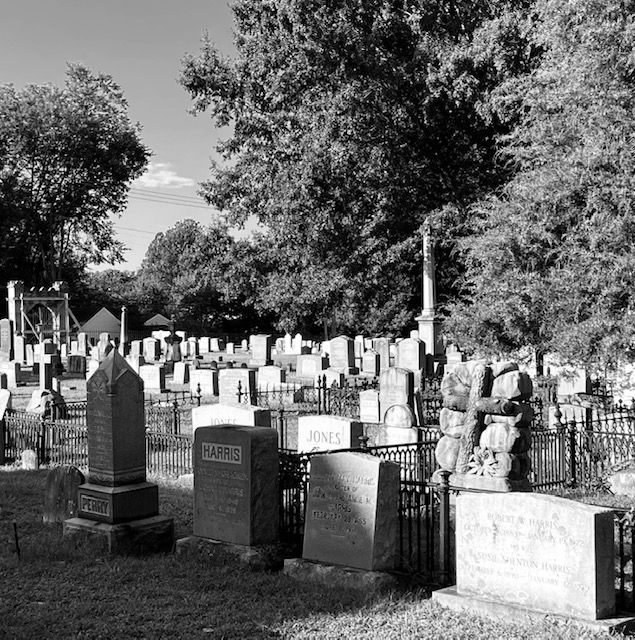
(236, 484)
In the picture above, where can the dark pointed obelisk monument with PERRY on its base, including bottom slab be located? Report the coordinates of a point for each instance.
(117, 502)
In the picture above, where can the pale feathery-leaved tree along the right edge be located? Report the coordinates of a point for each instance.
(552, 261)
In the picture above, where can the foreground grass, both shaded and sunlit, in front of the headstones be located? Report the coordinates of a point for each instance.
(63, 589)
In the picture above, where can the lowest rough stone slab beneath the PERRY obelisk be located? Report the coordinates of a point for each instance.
(138, 537)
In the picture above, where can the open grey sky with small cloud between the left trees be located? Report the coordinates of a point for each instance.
(139, 43)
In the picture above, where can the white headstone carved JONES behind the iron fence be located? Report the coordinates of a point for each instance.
(325, 433)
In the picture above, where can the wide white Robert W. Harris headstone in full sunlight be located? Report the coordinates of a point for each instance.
(534, 552)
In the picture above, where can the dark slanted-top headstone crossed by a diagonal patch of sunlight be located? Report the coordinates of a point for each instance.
(352, 511)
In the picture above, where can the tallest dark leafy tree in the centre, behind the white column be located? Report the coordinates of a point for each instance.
(352, 121)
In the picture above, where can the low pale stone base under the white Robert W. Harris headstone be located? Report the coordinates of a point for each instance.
(450, 599)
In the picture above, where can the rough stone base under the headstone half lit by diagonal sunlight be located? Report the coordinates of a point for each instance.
(334, 575)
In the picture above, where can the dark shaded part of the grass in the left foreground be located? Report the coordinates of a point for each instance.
(67, 587)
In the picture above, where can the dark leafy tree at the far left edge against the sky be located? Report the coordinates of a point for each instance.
(67, 157)
